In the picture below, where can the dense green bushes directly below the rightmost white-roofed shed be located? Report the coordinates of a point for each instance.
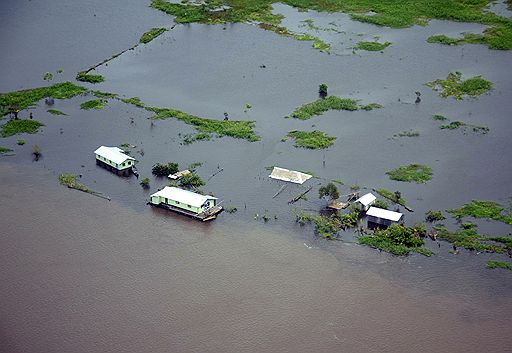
(396, 239)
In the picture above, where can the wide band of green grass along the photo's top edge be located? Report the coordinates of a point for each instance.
(396, 14)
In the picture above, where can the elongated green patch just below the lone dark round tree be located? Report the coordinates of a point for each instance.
(320, 106)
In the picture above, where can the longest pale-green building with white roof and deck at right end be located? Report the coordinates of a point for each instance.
(203, 207)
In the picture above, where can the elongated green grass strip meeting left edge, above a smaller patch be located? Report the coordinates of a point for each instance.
(20, 100)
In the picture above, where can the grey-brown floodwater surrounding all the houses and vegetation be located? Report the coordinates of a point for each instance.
(80, 273)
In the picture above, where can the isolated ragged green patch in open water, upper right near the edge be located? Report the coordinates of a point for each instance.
(454, 86)
